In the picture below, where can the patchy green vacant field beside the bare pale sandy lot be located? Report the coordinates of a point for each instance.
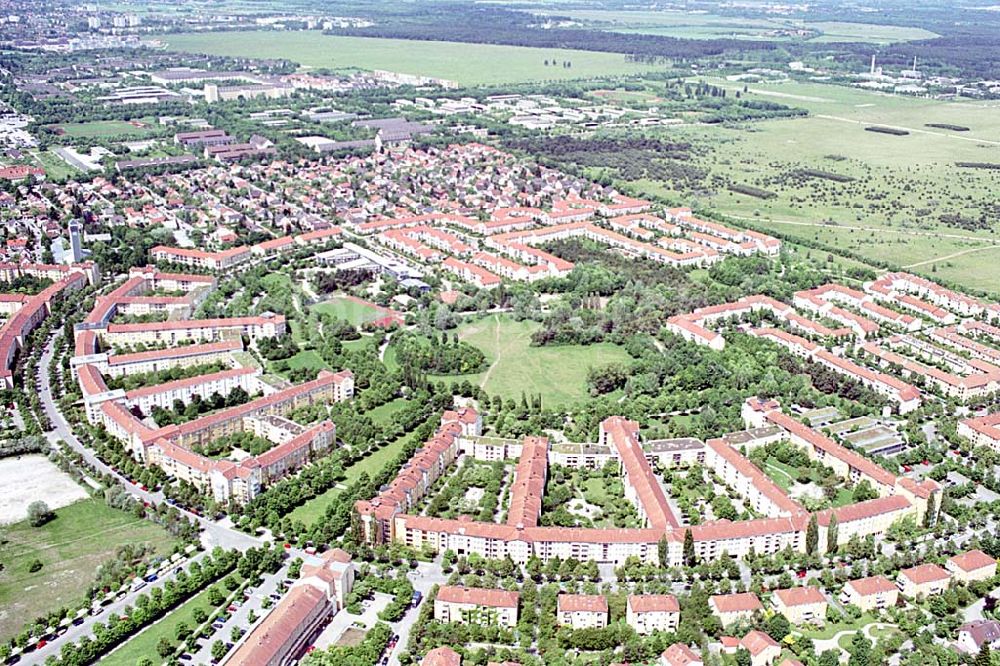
(71, 547)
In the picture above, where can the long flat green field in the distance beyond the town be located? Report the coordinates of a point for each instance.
(469, 64)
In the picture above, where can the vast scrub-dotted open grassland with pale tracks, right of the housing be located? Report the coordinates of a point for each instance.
(899, 199)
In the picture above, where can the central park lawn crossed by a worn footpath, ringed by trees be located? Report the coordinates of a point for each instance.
(558, 373)
